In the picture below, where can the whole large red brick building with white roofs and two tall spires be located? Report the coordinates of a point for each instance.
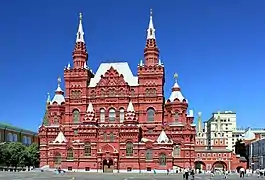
(114, 121)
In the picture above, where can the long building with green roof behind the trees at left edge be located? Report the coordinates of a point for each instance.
(9, 133)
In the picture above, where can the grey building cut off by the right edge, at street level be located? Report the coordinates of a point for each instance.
(256, 154)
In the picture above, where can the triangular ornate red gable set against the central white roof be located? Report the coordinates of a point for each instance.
(112, 78)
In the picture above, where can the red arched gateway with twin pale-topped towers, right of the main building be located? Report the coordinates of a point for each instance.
(212, 153)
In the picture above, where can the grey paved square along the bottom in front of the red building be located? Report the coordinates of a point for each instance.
(95, 176)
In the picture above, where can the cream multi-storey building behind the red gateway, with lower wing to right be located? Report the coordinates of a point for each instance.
(228, 128)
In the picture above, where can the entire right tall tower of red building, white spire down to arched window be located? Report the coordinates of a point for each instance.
(151, 78)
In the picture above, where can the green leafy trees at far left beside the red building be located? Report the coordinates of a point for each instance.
(15, 154)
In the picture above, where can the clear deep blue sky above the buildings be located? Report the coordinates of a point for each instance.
(216, 47)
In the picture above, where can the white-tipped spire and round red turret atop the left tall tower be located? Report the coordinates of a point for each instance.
(80, 54)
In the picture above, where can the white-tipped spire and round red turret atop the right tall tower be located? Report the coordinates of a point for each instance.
(151, 51)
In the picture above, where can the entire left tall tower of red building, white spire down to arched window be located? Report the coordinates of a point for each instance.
(77, 79)
